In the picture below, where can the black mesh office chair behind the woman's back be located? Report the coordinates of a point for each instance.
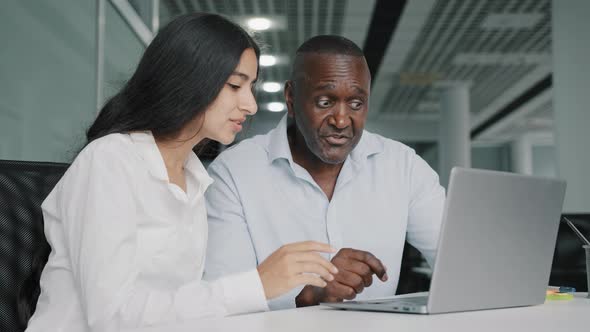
(23, 187)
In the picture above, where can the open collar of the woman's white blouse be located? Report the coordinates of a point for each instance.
(149, 152)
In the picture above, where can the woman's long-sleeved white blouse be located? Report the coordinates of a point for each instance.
(128, 247)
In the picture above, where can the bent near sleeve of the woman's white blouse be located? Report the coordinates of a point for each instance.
(98, 205)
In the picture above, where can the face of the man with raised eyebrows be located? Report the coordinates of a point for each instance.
(329, 101)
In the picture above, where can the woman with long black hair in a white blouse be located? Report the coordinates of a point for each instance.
(127, 222)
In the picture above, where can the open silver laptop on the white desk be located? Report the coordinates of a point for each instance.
(495, 248)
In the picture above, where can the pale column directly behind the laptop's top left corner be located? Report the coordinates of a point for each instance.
(454, 142)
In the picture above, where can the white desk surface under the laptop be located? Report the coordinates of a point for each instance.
(553, 316)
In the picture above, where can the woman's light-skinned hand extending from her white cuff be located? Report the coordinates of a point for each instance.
(296, 264)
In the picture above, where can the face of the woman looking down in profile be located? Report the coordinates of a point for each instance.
(227, 113)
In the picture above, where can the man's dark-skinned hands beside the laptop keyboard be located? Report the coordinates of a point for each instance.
(355, 272)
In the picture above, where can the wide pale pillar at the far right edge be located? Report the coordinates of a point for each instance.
(571, 81)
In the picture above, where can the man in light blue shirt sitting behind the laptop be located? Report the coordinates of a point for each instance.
(322, 177)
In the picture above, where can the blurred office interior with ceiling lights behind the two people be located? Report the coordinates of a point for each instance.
(494, 84)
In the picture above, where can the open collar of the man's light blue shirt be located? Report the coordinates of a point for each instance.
(278, 145)
